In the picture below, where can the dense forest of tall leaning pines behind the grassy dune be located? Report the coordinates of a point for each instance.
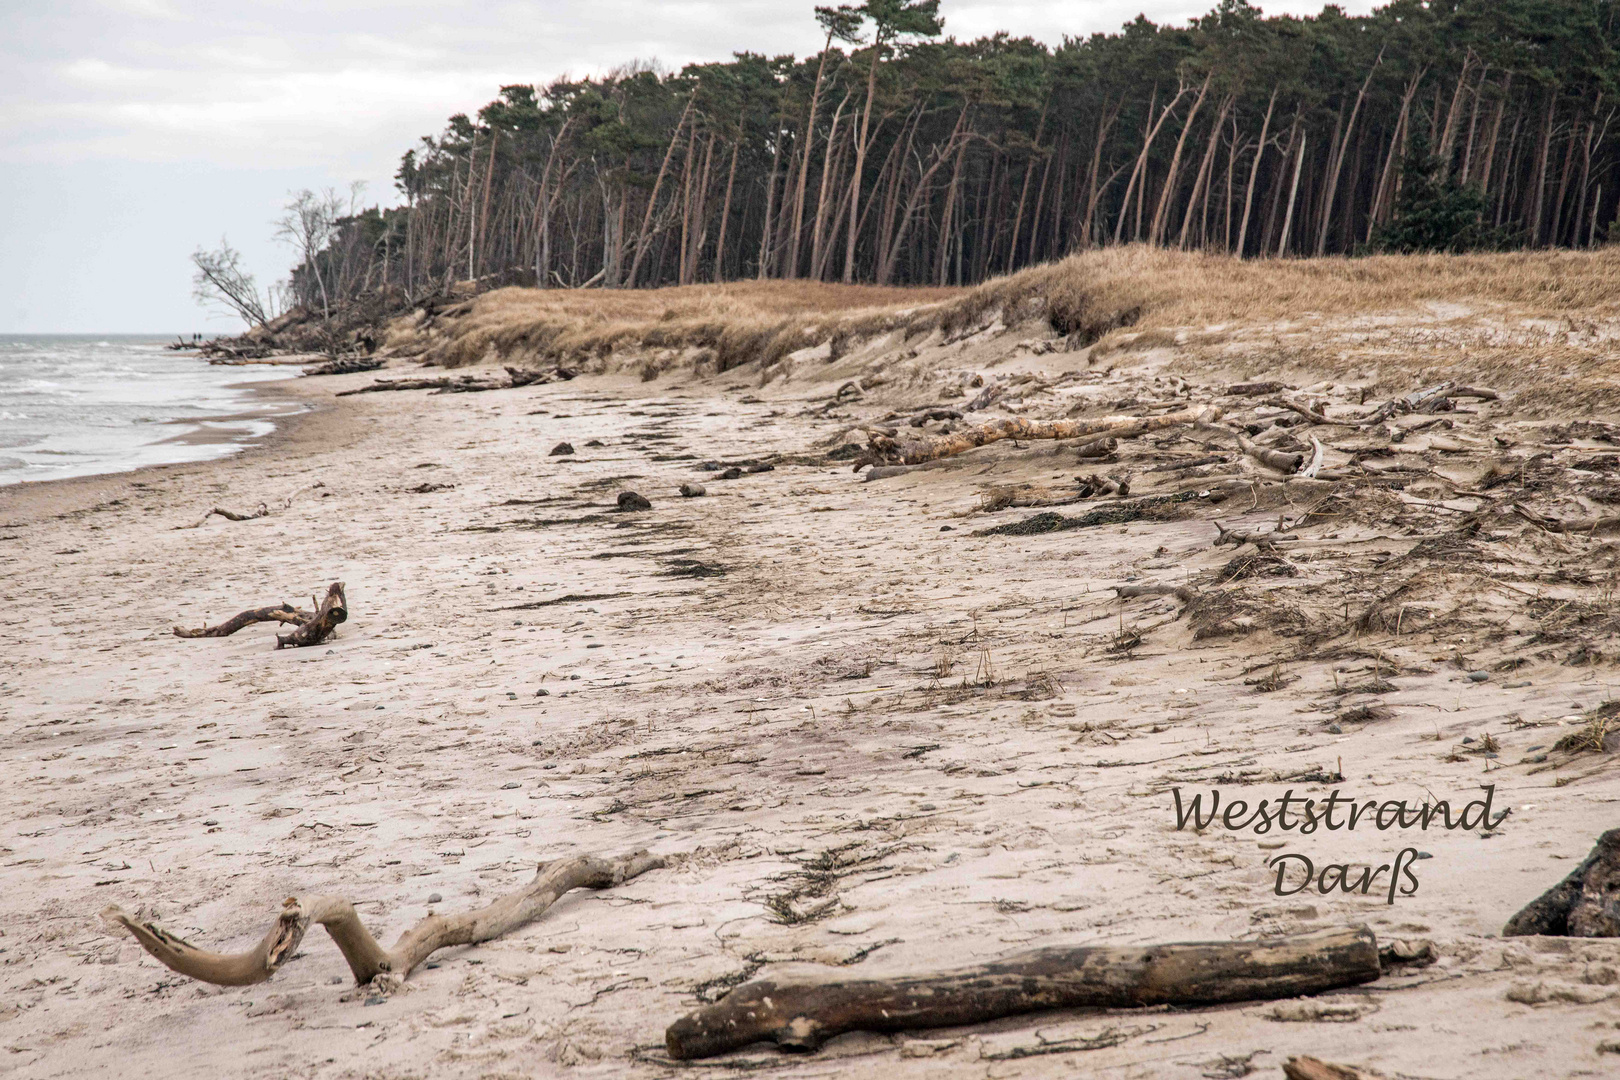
(900, 156)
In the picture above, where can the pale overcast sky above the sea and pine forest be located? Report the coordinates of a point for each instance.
(135, 130)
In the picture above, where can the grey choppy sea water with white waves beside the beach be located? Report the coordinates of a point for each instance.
(77, 406)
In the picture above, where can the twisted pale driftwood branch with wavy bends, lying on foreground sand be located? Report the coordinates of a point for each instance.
(369, 959)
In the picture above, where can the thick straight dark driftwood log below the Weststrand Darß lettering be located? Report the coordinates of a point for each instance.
(799, 1016)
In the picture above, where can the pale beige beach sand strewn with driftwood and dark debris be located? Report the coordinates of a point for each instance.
(863, 734)
